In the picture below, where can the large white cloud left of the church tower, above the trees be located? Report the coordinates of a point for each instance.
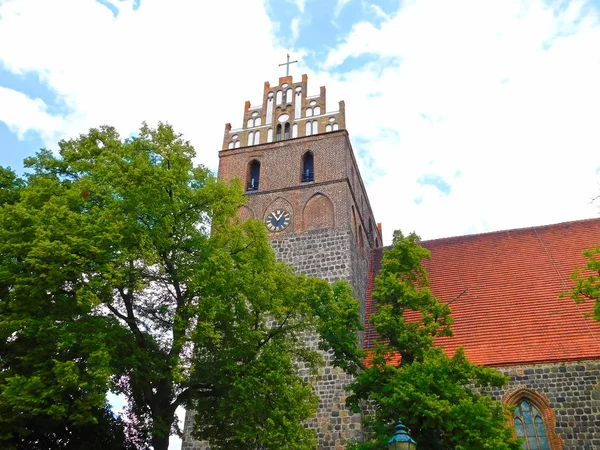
(167, 60)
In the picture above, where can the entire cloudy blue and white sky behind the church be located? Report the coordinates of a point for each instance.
(466, 116)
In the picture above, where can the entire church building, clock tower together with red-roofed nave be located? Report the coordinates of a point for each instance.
(299, 173)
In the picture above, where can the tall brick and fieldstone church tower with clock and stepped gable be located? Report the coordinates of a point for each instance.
(299, 172)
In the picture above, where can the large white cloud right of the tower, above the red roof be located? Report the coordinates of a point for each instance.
(504, 94)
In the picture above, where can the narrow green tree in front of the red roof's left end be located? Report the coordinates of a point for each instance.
(435, 396)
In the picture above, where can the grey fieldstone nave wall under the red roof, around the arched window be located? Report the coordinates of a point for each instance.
(573, 392)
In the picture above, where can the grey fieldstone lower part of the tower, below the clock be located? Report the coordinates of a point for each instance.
(332, 255)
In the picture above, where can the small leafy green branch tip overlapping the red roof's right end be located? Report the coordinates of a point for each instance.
(587, 282)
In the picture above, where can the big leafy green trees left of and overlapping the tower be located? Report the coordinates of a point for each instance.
(122, 267)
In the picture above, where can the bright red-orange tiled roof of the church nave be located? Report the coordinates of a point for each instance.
(511, 312)
